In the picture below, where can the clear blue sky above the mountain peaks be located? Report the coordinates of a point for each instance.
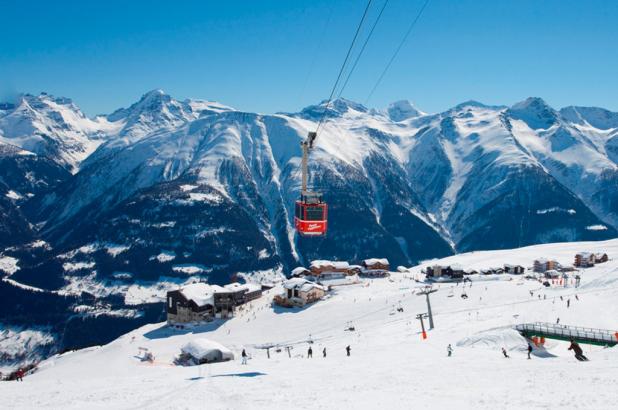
(269, 56)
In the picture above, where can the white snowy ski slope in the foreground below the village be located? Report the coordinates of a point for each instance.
(390, 365)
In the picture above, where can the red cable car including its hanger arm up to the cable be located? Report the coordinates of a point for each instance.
(311, 212)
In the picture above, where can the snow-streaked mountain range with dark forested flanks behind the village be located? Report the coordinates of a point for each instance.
(102, 215)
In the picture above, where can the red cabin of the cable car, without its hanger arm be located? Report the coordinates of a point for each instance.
(311, 215)
